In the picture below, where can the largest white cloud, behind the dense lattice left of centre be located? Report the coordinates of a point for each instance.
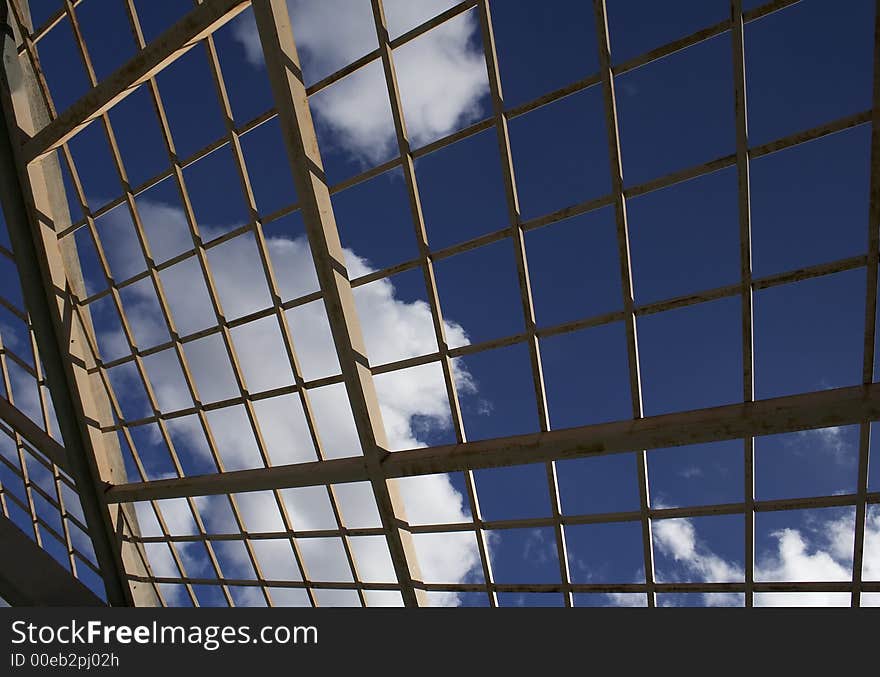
(412, 401)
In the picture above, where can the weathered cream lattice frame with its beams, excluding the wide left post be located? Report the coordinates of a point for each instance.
(855, 405)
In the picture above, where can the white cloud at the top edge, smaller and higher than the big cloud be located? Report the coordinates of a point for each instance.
(441, 74)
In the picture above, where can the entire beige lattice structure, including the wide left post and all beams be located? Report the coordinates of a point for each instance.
(74, 469)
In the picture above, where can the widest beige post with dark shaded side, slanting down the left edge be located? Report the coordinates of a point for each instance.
(35, 206)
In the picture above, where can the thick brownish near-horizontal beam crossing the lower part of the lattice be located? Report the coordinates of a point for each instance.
(821, 409)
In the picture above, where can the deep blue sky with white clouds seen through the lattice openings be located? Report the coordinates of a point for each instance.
(808, 206)
